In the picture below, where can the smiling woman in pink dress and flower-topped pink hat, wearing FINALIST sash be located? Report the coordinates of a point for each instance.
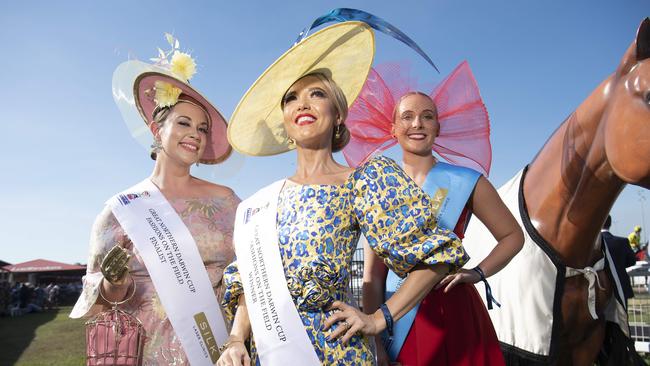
(179, 247)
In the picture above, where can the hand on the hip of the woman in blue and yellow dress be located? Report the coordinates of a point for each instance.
(350, 322)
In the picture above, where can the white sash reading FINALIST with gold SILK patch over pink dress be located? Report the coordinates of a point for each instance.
(176, 269)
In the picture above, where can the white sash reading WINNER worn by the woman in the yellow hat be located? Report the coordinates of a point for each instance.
(279, 334)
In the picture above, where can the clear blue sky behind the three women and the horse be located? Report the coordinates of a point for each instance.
(65, 149)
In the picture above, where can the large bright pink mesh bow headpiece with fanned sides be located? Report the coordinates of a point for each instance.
(464, 124)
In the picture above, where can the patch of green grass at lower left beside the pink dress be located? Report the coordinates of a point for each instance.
(47, 338)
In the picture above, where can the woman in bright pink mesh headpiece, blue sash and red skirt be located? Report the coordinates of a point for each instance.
(451, 325)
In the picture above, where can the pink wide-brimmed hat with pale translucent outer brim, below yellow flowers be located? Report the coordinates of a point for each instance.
(144, 77)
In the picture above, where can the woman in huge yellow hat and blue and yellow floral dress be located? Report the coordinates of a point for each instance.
(295, 238)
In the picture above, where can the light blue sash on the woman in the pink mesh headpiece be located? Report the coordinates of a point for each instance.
(449, 187)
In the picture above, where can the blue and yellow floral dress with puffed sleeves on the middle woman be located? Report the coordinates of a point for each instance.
(318, 229)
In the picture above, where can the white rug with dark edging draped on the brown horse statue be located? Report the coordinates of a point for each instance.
(529, 288)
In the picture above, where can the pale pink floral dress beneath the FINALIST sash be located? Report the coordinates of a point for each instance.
(210, 221)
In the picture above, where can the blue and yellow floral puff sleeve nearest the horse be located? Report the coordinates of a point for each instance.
(398, 220)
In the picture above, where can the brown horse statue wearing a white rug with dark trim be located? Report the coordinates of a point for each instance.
(561, 200)
